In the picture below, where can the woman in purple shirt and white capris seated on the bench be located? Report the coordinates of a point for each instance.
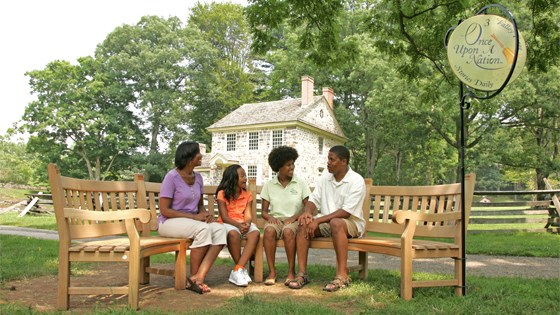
(182, 214)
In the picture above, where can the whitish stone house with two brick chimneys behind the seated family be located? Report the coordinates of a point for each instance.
(249, 133)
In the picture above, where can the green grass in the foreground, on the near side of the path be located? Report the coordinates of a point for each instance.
(379, 294)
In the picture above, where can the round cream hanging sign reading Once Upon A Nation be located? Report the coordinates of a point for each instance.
(481, 52)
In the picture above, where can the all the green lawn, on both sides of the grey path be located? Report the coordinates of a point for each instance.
(379, 294)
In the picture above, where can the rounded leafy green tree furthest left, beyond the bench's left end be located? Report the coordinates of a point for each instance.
(79, 114)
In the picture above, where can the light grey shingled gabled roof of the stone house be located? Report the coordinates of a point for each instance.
(275, 112)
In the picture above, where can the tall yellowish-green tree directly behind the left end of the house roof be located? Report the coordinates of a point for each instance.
(225, 81)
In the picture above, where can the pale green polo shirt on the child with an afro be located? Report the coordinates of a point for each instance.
(285, 201)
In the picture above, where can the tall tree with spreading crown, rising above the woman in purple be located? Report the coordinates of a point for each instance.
(150, 62)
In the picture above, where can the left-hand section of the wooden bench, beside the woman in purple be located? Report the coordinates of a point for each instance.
(109, 221)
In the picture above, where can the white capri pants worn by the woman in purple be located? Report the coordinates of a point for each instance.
(202, 233)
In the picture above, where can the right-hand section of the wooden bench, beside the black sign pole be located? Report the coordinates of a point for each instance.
(410, 222)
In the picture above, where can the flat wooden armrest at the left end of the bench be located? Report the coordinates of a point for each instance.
(141, 214)
